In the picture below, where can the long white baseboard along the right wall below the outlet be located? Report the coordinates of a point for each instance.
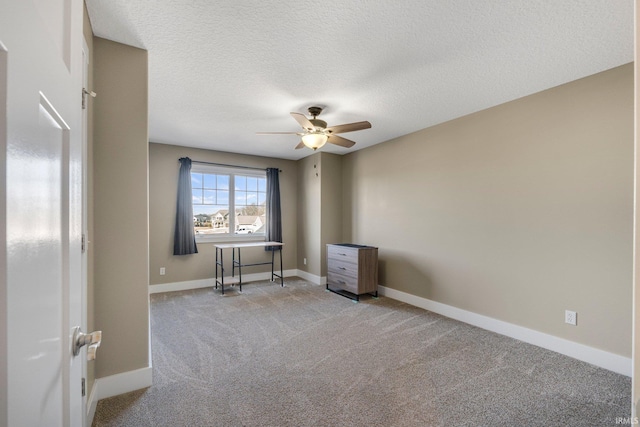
(610, 361)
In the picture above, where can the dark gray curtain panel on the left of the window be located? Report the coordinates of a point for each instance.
(184, 240)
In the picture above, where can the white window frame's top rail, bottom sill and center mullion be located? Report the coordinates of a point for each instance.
(232, 172)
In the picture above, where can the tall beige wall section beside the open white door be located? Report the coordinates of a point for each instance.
(120, 188)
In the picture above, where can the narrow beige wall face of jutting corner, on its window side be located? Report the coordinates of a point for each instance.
(309, 214)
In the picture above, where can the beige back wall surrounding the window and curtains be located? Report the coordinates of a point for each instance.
(163, 187)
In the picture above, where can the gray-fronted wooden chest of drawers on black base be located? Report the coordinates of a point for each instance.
(352, 268)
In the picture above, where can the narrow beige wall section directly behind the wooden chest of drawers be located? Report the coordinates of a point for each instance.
(331, 203)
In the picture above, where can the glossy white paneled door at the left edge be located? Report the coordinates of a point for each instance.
(41, 137)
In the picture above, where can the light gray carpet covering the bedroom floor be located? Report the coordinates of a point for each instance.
(302, 356)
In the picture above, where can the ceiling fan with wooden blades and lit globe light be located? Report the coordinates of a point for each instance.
(316, 133)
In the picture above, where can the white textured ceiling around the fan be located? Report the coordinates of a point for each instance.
(220, 71)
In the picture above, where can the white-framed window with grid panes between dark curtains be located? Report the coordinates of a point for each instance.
(228, 202)
